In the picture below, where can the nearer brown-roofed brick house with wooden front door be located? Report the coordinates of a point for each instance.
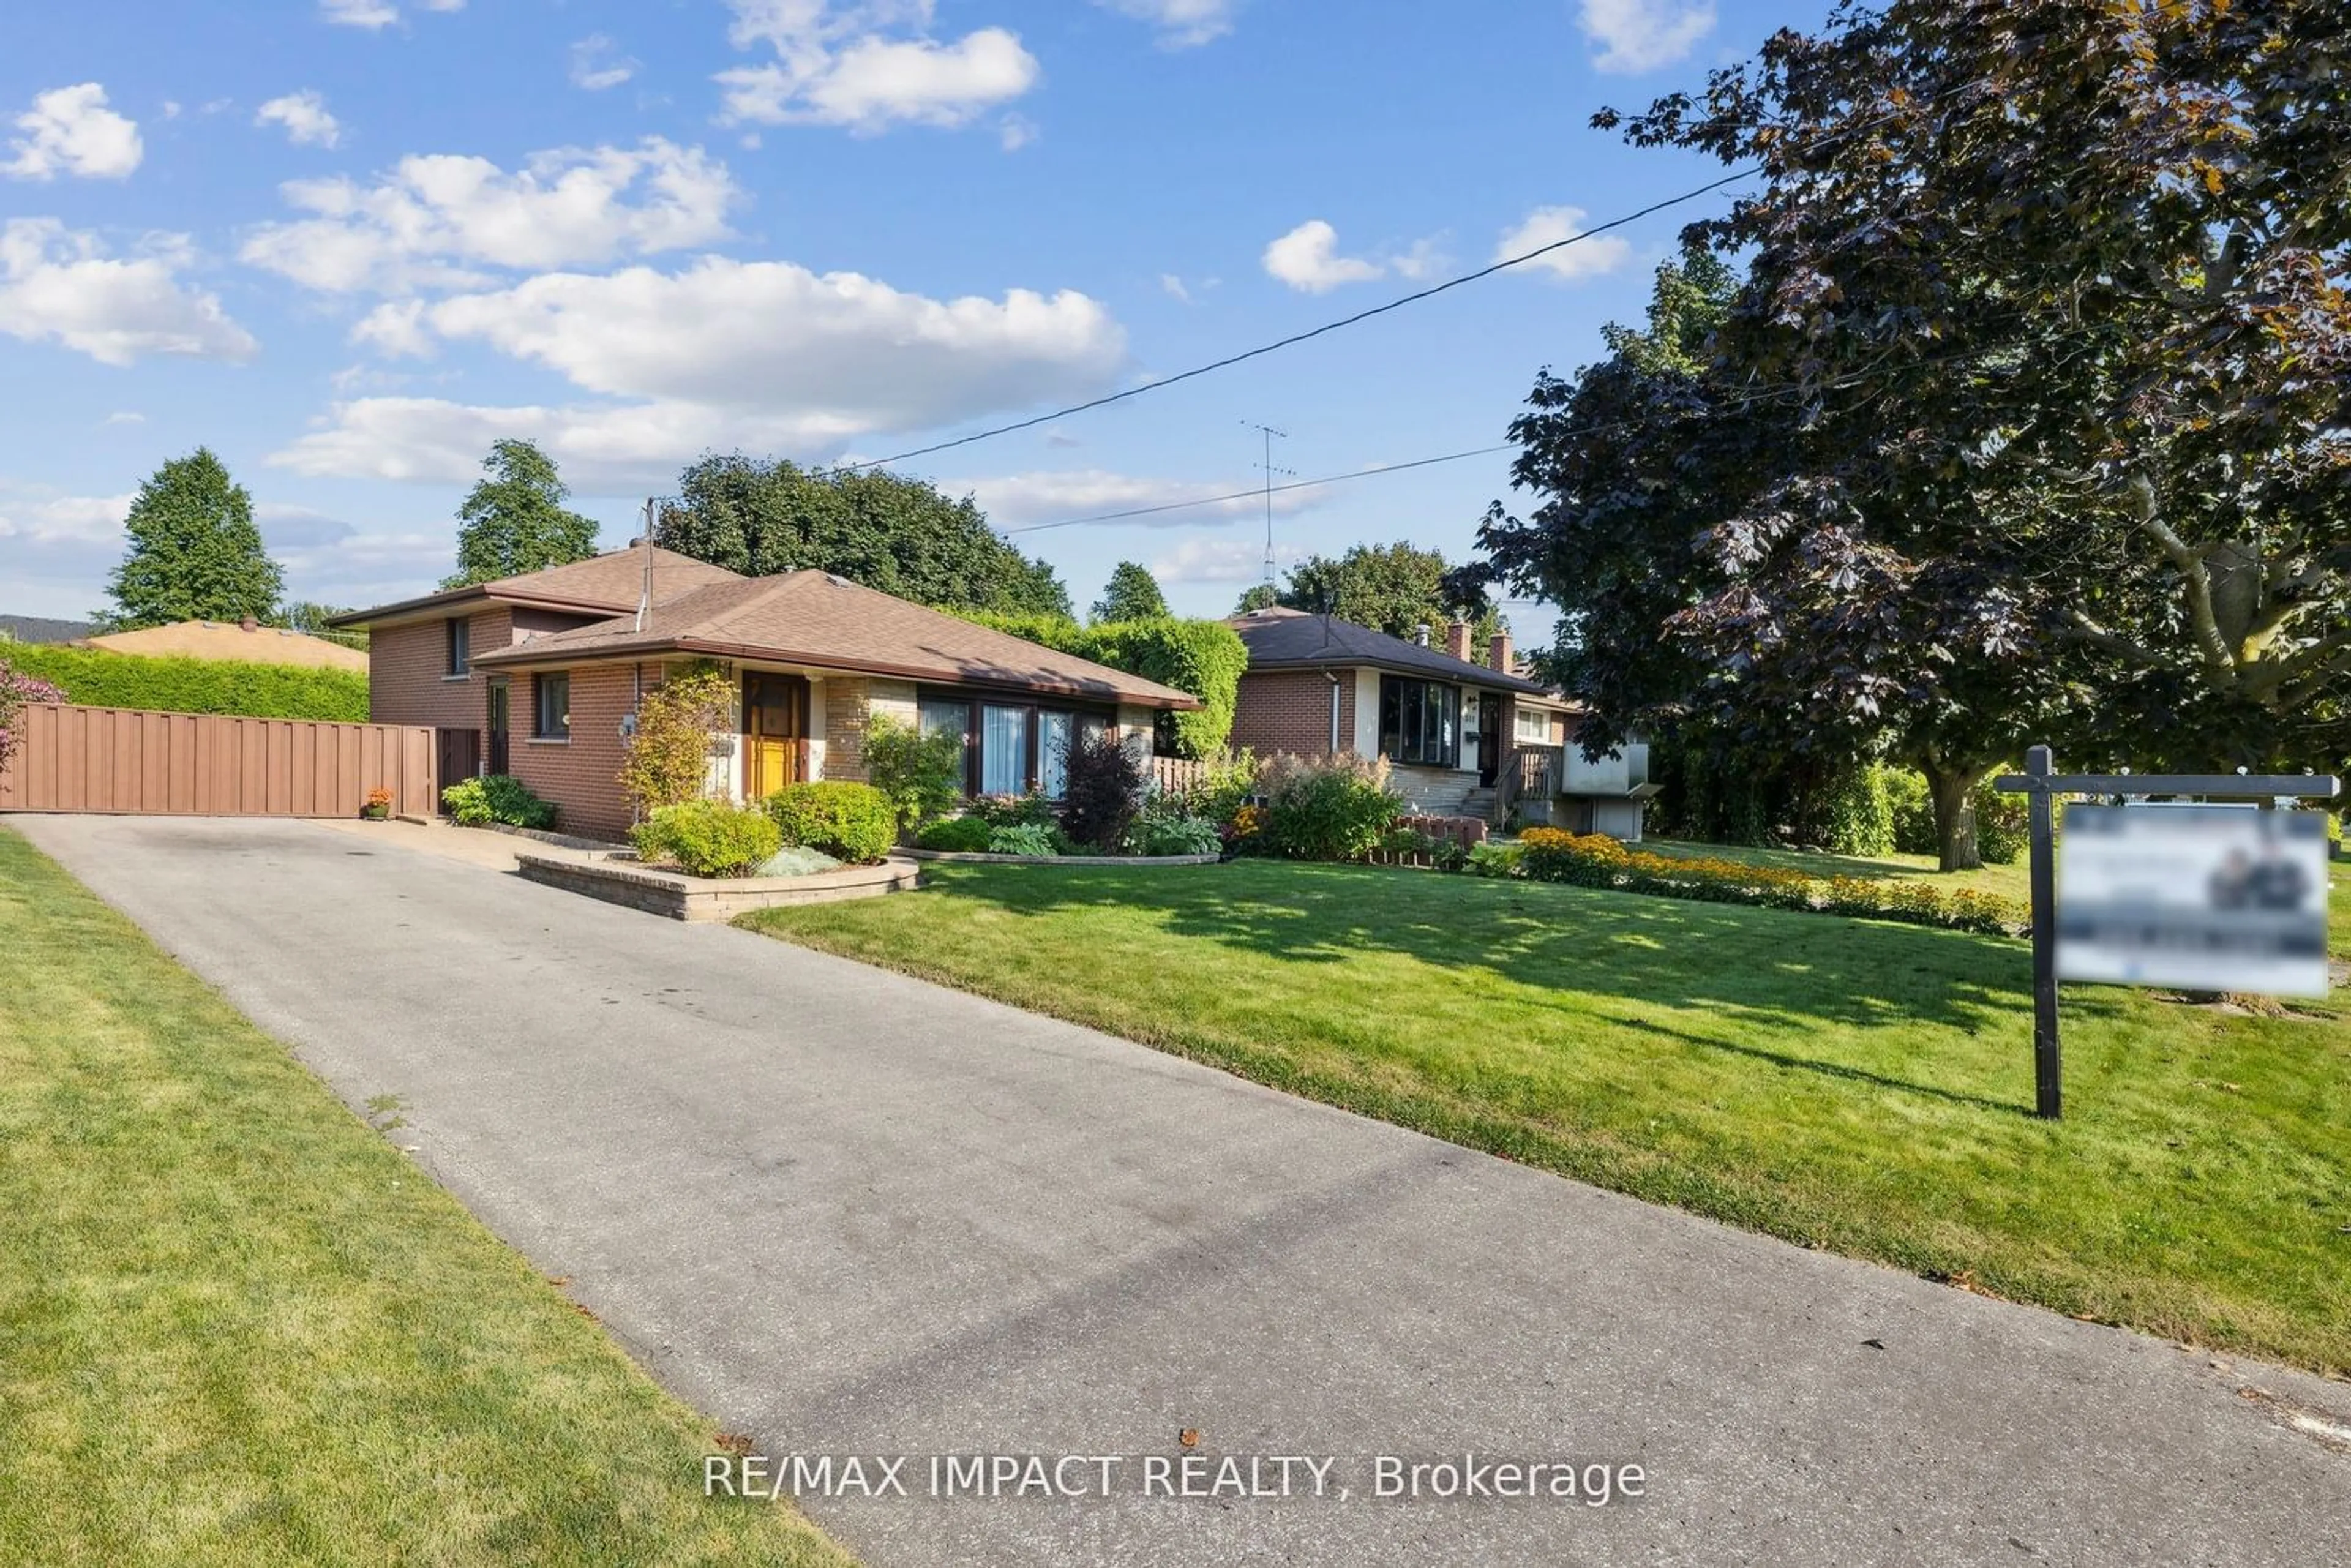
(540, 676)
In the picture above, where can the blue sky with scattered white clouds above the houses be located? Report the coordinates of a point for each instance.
(349, 243)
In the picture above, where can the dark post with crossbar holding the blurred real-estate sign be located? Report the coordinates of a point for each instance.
(2042, 786)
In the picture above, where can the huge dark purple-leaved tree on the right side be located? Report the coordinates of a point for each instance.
(2030, 417)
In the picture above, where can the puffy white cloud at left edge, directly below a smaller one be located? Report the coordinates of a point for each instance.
(62, 286)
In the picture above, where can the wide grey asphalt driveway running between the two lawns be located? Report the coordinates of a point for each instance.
(855, 1214)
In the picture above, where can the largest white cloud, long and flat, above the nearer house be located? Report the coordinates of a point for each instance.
(761, 356)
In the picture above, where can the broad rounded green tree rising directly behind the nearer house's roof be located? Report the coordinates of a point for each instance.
(880, 530)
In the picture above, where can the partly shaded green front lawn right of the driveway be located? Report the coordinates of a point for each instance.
(1849, 1085)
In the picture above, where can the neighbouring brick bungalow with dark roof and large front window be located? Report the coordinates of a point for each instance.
(1447, 725)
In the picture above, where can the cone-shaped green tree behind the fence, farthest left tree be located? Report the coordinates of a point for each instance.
(196, 554)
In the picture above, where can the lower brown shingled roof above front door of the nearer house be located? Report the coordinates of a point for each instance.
(833, 624)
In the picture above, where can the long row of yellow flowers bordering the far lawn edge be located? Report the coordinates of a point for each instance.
(1550, 855)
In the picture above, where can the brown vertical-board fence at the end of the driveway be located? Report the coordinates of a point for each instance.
(123, 760)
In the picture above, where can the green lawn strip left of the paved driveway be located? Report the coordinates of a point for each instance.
(239, 1327)
